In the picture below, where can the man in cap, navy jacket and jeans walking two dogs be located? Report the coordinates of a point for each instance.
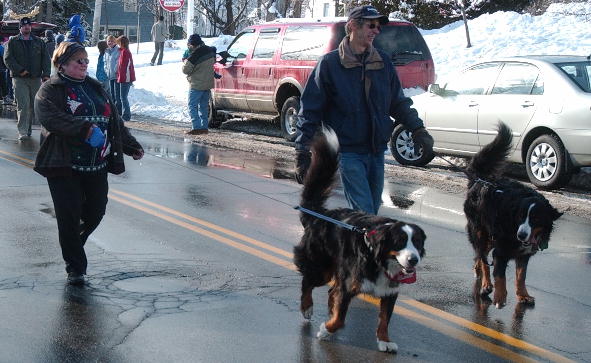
(355, 90)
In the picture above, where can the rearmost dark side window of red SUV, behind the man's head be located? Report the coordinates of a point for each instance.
(404, 43)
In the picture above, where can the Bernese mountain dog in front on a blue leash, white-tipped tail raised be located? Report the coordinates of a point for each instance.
(375, 261)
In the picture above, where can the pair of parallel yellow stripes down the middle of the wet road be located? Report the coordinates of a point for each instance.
(436, 319)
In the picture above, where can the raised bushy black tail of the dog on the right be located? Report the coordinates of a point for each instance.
(489, 161)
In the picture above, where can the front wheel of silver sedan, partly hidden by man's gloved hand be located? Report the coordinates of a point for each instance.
(405, 151)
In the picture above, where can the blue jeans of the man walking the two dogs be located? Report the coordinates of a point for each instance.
(362, 176)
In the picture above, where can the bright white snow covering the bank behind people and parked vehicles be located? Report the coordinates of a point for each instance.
(162, 91)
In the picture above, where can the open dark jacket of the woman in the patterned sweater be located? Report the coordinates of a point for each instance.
(61, 128)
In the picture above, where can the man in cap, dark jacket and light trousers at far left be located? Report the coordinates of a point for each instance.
(26, 57)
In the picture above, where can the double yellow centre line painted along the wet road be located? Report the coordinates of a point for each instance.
(434, 324)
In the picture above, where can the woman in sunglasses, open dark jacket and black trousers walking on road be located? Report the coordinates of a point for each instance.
(85, 139)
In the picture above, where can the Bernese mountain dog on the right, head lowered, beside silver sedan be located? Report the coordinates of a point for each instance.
(505, 217)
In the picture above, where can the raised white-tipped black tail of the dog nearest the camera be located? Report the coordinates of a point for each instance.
(321, 174)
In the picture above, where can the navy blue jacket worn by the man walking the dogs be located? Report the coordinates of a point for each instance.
(356, 99)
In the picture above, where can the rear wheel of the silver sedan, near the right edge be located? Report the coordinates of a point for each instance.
(547, 163)
